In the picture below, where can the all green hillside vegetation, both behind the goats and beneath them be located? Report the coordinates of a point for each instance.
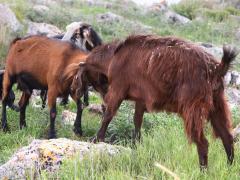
(163, 138)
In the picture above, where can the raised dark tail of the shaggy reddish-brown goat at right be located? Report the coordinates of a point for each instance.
(229, 55)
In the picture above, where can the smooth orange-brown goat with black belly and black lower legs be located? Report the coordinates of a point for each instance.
(38, 62)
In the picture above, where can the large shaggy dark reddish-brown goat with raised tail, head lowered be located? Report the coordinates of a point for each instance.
(163, 73)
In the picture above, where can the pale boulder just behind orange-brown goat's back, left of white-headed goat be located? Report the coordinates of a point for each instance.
(42, 28)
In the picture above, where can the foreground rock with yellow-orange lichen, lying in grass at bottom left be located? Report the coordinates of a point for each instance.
(49, 154)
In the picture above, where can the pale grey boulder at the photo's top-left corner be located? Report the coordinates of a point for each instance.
(8, 18)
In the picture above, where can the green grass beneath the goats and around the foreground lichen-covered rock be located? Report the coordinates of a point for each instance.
(163, 141)
